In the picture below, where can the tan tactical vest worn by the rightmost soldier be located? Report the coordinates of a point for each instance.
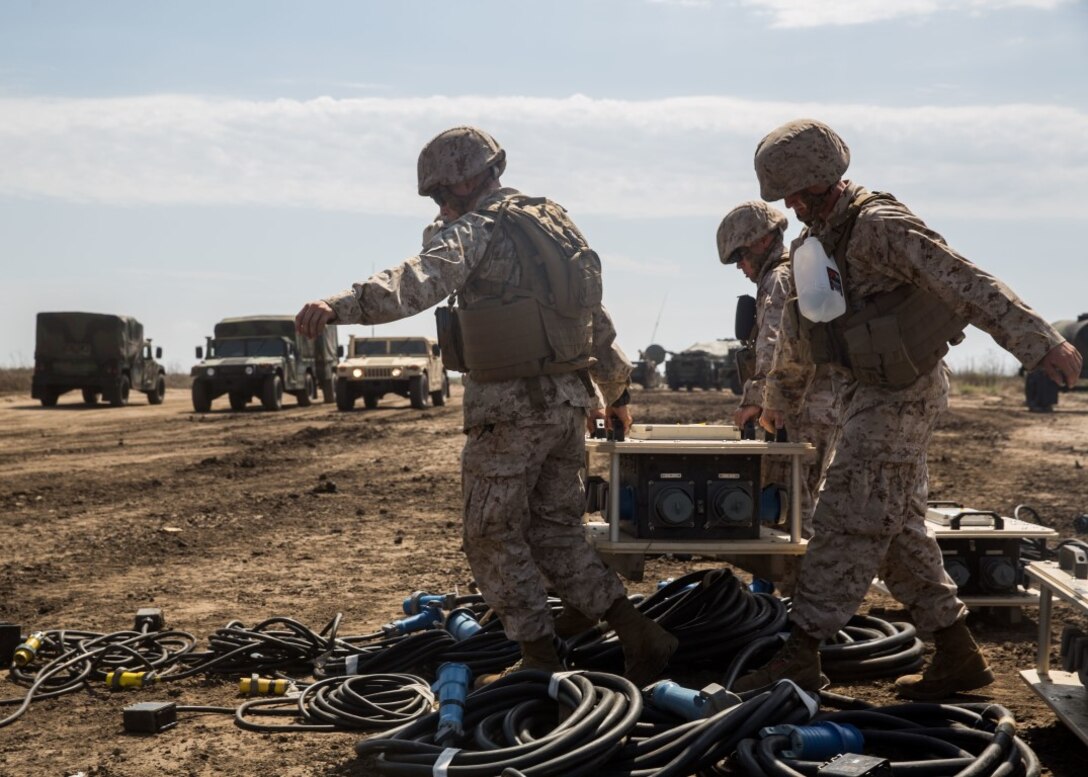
(888, 340)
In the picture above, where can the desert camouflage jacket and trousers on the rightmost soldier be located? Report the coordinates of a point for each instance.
(870, 516)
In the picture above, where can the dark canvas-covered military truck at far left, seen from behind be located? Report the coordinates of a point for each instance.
(102, 355)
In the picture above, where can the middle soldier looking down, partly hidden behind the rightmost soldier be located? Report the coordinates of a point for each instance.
(750, 237)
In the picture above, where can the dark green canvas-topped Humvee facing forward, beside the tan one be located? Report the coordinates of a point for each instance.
(264, 357)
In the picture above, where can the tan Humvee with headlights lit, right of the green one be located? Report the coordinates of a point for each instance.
(410, 367)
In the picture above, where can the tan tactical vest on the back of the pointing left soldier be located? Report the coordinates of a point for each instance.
(543, 324)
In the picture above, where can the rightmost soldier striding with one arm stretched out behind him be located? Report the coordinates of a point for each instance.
(870, 517)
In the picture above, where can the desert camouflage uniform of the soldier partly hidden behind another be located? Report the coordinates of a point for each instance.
(810, 396)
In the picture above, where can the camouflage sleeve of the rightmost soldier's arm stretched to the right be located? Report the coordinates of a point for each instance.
(923, 258)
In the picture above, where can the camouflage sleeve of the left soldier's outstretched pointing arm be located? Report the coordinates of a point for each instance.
(418, 282)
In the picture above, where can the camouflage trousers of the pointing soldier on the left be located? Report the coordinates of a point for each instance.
(524, 504)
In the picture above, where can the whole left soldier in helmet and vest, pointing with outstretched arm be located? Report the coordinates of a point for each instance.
(540, 357)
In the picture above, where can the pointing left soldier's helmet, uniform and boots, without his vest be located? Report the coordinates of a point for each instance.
(525, 450)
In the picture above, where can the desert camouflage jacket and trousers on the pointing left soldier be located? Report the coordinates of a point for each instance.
(522, 464)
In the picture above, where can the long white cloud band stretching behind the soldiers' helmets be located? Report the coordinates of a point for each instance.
(628, 158)
